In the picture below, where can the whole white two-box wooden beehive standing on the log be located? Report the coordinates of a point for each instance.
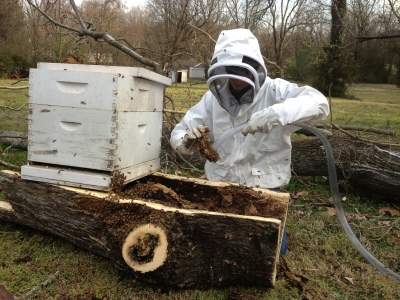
(89, 122)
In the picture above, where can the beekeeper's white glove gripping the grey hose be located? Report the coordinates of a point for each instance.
(261, 121)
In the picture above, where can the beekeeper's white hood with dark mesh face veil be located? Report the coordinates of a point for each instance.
(237, 55)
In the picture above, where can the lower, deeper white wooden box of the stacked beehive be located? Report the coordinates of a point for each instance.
(93, 139)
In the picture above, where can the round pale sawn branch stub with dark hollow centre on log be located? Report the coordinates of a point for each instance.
(145, 248)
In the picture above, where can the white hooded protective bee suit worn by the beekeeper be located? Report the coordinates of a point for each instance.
(261, 159)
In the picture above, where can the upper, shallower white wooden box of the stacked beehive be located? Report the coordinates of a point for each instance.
(102, 91)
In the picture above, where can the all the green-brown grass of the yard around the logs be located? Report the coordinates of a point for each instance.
(322, 262)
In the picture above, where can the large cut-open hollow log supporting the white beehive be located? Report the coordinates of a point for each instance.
(190, 233)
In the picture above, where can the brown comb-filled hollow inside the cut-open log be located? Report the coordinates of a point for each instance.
(234, 199)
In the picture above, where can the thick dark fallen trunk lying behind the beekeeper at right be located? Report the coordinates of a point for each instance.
(368, 168)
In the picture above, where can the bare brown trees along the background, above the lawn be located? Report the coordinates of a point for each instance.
(325, 43)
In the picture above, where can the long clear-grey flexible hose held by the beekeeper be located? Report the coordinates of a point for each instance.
(336, 199)
